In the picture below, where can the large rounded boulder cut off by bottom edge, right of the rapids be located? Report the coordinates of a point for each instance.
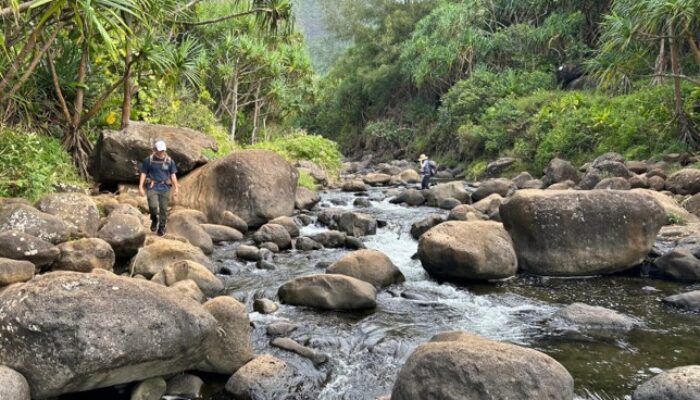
(462, 366)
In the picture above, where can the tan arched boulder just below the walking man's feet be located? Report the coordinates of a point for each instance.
(160, 253)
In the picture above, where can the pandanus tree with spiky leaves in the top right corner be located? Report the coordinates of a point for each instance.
(656, 39)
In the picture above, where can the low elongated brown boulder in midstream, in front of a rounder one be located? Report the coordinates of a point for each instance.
(329, 292)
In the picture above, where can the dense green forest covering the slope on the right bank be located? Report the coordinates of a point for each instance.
(470, 80)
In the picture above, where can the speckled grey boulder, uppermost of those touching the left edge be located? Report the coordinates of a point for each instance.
(27, 219)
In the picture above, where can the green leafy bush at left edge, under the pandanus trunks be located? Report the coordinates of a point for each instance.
(31, 164)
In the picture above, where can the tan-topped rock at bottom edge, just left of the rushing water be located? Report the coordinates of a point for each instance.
(266, 377)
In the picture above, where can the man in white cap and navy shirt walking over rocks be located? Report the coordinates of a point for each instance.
(158, 174)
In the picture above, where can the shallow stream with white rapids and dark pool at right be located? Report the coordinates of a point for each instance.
(367, 350)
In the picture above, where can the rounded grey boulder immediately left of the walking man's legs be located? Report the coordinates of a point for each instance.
(124, 232)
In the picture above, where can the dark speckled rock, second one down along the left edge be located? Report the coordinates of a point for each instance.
(21, 246)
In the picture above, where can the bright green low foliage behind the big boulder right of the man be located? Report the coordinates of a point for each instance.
(300, 146)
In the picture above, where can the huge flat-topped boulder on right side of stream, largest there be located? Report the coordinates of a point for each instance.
(574, 233)
